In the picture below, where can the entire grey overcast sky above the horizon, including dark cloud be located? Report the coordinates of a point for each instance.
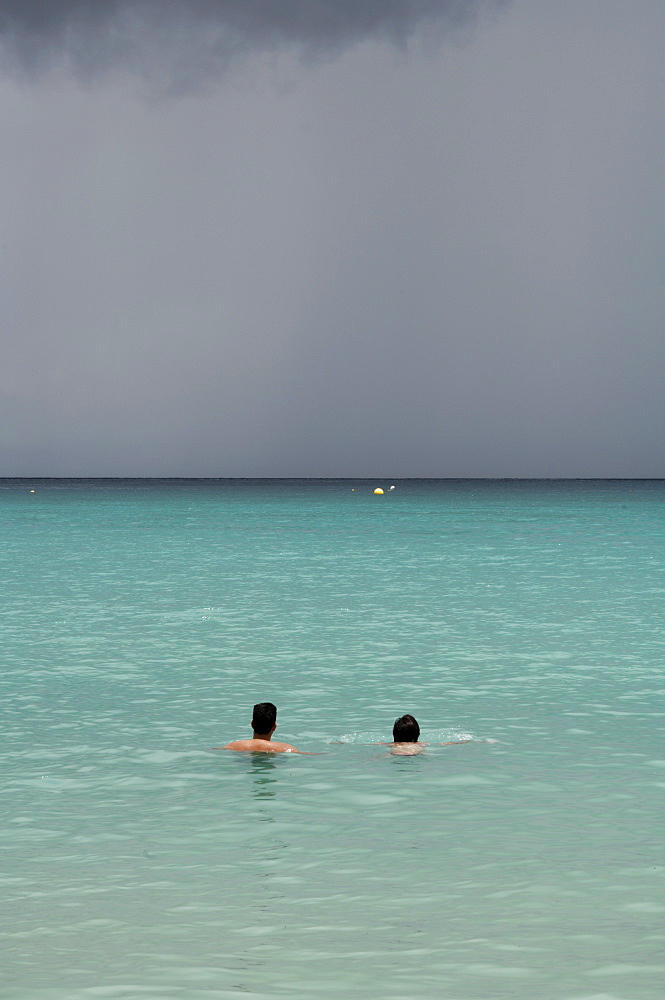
(342, 238)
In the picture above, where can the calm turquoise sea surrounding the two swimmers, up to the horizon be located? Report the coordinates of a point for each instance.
(143, 618)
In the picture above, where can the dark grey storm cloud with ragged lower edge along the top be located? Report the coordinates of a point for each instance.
(205, 34)
